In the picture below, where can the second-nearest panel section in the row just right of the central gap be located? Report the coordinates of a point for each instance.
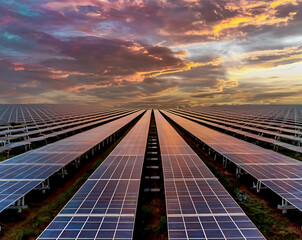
(199, 197)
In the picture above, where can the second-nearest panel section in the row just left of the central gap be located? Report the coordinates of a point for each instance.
(104, 197)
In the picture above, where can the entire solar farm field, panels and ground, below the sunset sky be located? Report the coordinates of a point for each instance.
(202, 173)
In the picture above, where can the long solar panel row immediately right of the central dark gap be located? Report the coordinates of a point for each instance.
(198, 207)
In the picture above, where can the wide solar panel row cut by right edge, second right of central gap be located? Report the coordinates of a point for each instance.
(280, 173)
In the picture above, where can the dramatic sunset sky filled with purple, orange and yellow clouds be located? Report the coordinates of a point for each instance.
(157, 53)
